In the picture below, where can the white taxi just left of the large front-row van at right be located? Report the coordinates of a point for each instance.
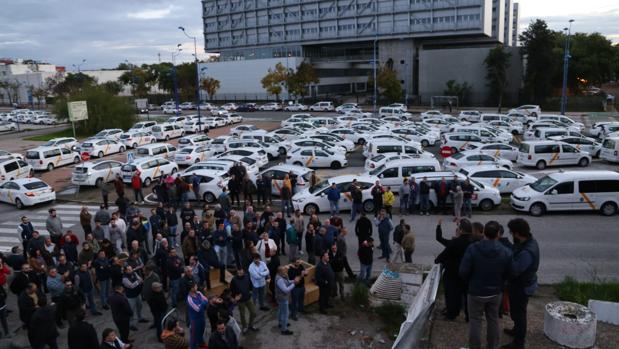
(498, 177)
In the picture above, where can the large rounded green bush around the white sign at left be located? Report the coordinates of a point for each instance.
(105, 109)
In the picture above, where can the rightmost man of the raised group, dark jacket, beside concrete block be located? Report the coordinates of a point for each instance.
(523, 282)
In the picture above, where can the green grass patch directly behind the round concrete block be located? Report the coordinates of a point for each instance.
(580, 292)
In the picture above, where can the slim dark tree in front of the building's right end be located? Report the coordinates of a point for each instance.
(497, 63)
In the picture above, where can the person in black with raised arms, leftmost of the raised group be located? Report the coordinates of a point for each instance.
(450, 258)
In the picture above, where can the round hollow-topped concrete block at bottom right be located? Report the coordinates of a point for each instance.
(570, 324)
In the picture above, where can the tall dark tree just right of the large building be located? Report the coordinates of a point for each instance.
(542, 61)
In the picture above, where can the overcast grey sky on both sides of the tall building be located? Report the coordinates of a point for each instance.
(108, 32)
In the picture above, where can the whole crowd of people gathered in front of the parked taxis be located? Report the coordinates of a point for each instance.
(174, 259)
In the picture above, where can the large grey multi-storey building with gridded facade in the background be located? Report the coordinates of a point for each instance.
(341, 37)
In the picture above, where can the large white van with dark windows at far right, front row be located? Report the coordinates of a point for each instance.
(570, 191)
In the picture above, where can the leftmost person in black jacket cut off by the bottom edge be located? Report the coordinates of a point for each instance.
(42, 330)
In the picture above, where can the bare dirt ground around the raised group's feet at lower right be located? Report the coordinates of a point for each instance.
(454, 334)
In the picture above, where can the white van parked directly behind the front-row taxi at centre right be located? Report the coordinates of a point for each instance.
(393, 172)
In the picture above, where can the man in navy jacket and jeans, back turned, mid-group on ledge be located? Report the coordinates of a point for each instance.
(485, 267)
